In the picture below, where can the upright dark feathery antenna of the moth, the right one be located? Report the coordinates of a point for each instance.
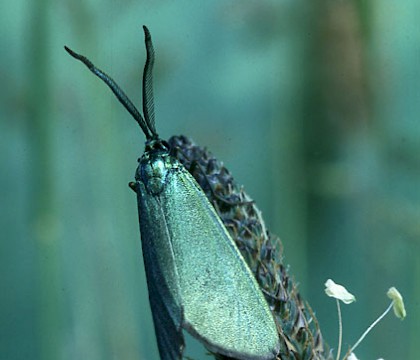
(148, 103)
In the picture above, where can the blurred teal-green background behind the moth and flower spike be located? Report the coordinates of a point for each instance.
(312, 105)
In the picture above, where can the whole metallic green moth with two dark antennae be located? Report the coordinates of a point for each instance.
(197, 278)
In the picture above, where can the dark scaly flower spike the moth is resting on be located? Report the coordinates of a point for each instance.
(300, 334)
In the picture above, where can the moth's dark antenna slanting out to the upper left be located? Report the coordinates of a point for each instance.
(121, 96)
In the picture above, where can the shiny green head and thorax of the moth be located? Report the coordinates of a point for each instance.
(154, 166)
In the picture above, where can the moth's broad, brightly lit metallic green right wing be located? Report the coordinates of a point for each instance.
(222, 303)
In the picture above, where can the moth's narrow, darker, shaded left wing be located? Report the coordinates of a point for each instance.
(162, 277)
